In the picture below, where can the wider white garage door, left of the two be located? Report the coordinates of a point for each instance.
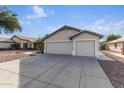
(59, 47)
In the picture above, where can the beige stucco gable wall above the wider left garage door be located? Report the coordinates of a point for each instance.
(62, 35)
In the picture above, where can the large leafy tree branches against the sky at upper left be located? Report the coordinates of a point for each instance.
(8, 21)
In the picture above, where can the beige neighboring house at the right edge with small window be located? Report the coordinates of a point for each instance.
(116, 45)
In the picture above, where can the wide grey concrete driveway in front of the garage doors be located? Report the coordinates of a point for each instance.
(53, 71)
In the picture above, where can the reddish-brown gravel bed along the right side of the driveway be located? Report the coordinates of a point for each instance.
(114, 70)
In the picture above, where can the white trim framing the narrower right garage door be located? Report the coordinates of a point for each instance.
(95, 41)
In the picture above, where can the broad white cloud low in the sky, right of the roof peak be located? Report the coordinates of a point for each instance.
(105, 27)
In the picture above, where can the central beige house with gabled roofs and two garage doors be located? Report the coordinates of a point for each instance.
(72, 41)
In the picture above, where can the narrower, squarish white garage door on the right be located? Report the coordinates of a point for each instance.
(85, 48)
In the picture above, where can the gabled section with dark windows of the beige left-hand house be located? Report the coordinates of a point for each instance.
(24, 41)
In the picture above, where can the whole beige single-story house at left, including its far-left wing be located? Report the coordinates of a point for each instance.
(24, 42)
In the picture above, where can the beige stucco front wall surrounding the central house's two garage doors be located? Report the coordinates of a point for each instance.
(64, 36)
